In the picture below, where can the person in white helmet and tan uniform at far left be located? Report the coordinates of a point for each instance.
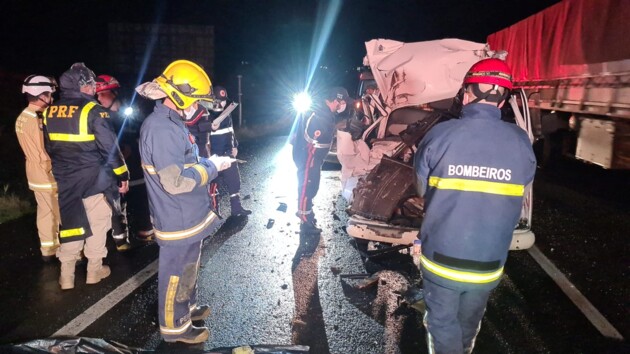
(38, 90)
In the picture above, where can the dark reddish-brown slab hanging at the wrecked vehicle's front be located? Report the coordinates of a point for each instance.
(378, 195)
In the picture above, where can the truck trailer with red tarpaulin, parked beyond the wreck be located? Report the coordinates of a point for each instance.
(573, 62)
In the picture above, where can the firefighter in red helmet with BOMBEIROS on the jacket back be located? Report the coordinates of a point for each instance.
(473, 172)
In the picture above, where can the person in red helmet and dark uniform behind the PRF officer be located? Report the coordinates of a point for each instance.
(133, 211)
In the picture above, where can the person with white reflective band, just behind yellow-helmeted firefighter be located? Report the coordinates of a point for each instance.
(223, 143)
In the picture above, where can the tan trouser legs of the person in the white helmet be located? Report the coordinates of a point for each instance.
(47, 221)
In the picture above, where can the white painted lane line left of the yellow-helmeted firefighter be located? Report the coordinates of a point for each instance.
(89, 316)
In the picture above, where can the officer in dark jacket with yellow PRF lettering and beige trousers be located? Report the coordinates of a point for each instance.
(87, 164)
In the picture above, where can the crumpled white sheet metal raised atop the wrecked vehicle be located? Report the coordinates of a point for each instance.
(411, 74)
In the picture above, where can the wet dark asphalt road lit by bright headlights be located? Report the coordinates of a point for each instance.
(267, 284)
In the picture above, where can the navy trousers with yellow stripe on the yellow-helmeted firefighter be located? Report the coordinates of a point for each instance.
(177, 287)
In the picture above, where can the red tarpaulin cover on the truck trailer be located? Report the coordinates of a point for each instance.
(571, 38)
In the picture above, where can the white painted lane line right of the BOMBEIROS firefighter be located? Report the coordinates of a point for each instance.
(597, 319)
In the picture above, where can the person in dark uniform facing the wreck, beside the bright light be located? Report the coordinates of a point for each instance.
(311, 141)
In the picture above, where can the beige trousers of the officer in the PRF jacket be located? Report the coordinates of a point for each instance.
(99, 215)
